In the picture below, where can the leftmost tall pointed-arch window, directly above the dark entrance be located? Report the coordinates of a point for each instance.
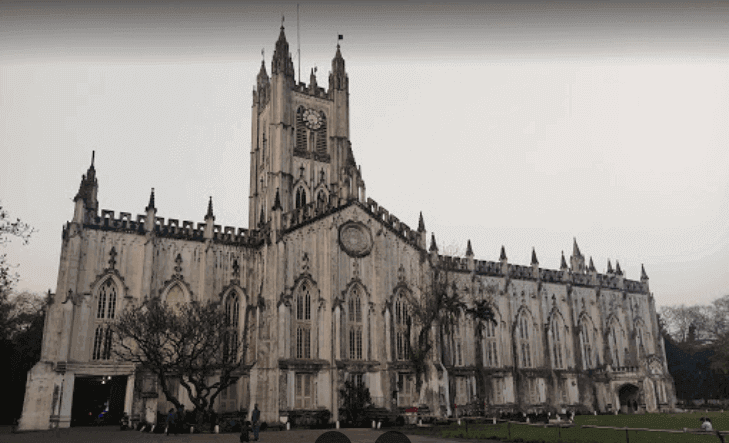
(107, 303)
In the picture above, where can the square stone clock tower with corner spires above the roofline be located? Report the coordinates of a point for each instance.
(300, 143)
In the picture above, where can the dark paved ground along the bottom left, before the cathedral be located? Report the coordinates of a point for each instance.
(112, 434)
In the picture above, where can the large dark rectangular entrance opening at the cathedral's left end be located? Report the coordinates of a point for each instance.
(98, 400)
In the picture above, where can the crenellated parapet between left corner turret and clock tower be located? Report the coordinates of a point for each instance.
(172, 229)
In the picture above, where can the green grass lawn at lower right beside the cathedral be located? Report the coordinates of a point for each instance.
(585, 435)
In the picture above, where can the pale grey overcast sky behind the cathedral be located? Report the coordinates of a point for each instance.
(518, 124)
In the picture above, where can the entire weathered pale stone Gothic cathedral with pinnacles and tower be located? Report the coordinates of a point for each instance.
(322, 279)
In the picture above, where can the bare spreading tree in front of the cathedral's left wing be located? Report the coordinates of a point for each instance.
(191, 342)
